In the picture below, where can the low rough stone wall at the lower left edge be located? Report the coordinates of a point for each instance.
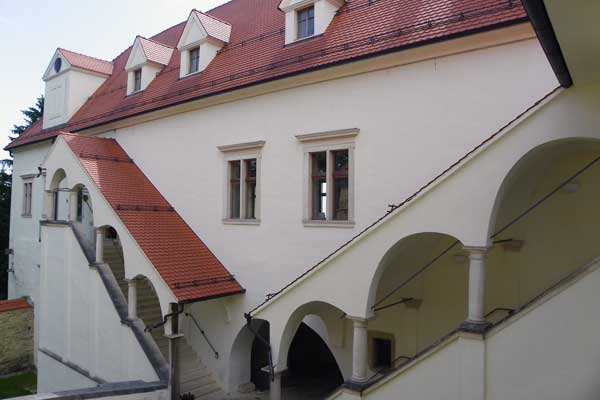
(16, 336)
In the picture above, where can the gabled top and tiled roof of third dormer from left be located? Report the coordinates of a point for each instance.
(200, 26)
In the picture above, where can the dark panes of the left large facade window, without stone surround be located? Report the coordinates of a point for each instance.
(242, 189)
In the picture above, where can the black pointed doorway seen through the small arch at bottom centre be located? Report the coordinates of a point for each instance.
(312, 369)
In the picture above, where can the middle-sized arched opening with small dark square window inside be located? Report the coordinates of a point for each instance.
(419, 294)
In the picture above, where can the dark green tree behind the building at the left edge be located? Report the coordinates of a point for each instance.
(31, 114)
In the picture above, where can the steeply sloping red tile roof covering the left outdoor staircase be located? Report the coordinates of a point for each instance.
(185, 263)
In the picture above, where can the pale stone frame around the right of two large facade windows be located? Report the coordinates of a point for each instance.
(343, 139)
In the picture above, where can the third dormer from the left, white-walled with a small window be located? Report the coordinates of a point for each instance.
(200, 41)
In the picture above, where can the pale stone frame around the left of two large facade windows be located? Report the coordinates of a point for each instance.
(241, 152)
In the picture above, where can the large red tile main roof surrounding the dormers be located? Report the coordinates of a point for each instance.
(257, 53)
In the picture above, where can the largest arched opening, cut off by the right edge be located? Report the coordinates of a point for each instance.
(557, 236)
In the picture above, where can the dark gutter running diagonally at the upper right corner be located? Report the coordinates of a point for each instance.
(536, 10)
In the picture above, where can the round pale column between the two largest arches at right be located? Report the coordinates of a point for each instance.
(477, 256)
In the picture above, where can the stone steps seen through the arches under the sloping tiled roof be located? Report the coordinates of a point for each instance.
(195, 378)
